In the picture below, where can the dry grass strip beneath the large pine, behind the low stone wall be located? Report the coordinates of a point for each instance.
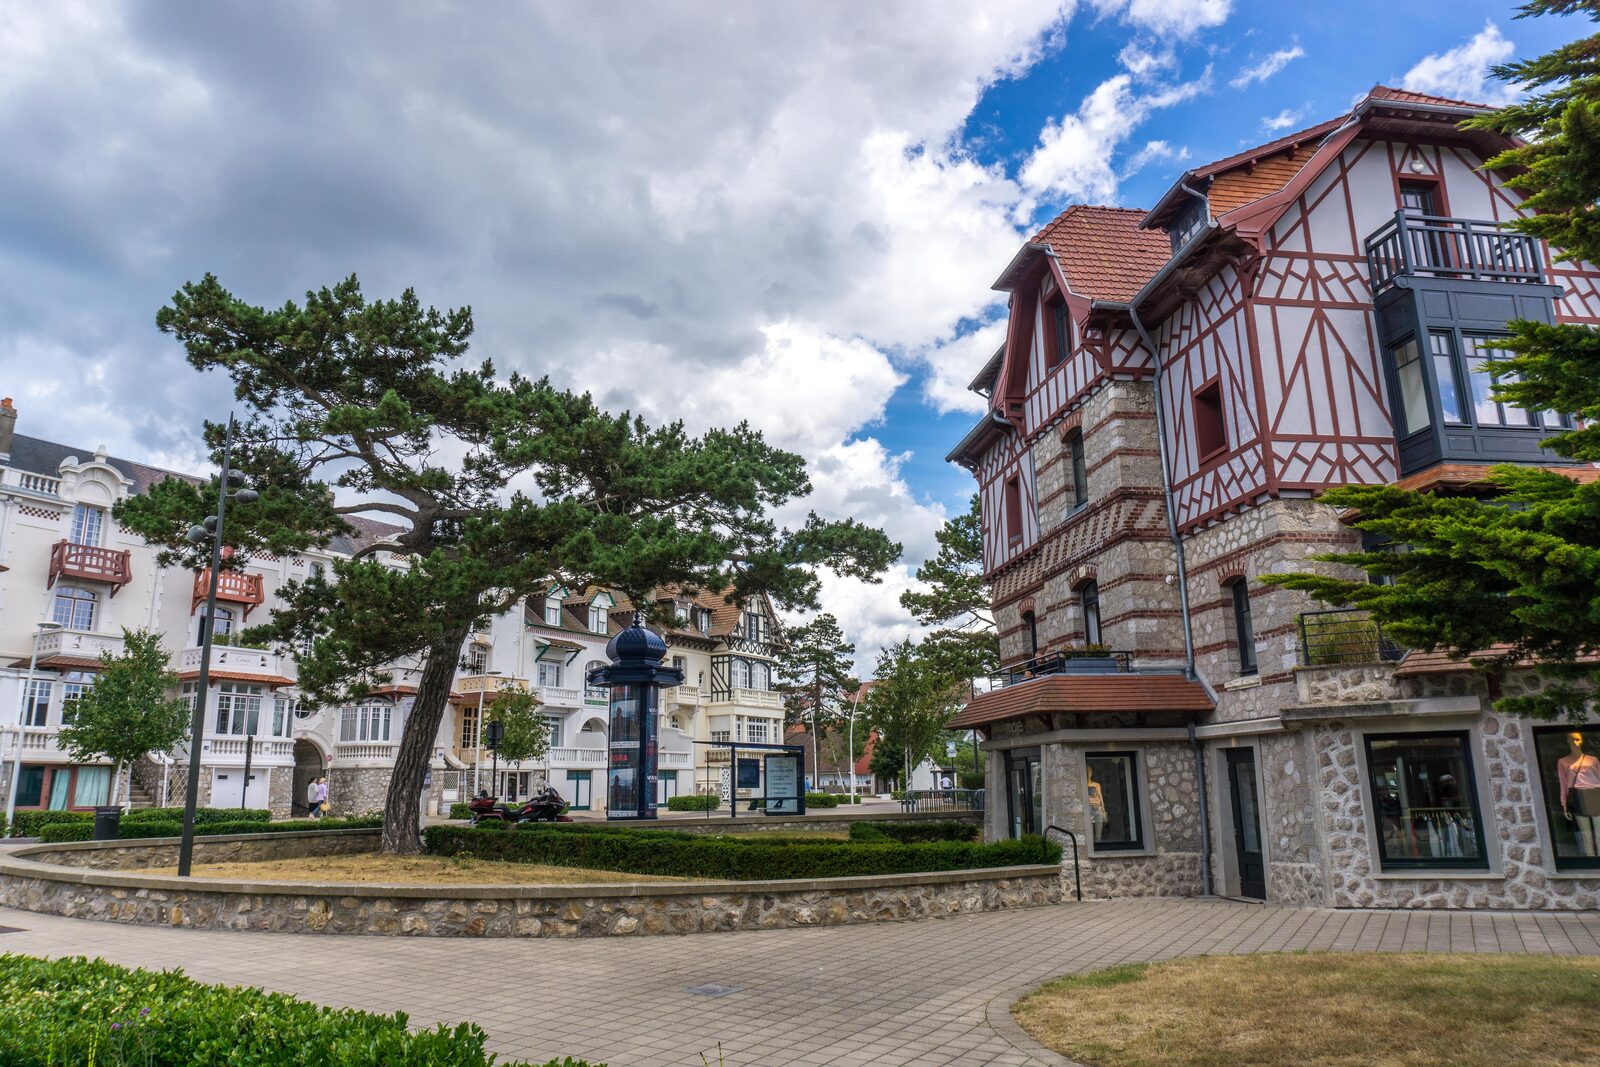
(409, 869)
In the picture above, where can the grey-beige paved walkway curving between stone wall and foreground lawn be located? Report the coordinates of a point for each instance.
(924, 993)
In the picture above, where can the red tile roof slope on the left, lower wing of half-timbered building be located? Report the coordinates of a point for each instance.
(1103, 252)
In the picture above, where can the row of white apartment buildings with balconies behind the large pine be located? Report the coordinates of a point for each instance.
(65, 564)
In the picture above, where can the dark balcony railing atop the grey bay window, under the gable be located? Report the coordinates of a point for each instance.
(1450, 249)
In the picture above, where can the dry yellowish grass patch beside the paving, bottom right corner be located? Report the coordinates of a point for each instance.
(1324, 1010)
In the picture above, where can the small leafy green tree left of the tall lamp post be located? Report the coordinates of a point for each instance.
(129, 711)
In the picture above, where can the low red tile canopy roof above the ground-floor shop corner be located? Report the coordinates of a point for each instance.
(1086, 695)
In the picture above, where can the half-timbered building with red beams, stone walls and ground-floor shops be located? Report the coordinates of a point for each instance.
(1175, 390)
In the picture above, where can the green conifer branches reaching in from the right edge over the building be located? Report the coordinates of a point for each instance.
(1518, 572)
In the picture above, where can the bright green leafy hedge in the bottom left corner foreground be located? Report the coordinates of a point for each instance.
(90, 1012)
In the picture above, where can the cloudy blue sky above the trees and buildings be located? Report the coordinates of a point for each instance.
(705, 210)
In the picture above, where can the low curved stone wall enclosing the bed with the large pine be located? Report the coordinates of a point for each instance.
(102, 881)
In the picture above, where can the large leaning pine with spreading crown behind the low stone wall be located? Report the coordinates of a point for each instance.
(498, 489)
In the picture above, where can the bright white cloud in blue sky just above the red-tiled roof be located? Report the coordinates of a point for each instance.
(1074, 159)
